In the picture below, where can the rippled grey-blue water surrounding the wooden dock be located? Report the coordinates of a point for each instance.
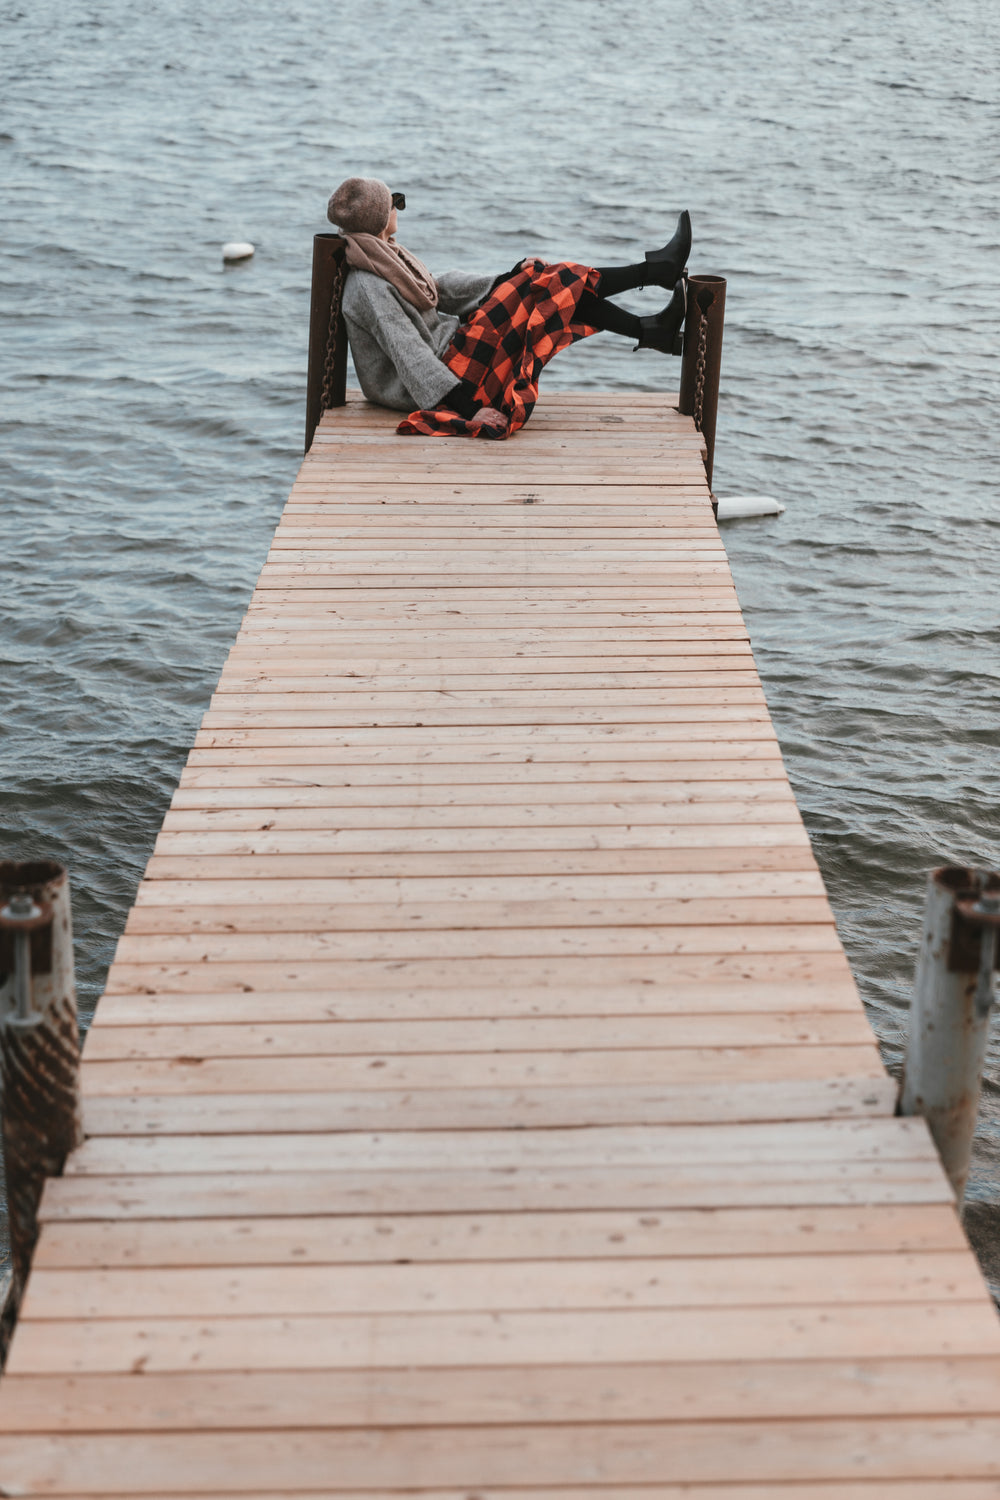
(842, 172)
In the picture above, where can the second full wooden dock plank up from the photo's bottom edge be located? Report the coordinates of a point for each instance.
(331, 1399)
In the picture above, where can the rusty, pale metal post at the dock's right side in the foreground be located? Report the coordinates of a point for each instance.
(950, 1016)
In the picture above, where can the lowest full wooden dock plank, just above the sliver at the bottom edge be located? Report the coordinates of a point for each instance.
(570, 1454)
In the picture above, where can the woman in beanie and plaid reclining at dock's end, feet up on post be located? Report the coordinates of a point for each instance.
(469, 350)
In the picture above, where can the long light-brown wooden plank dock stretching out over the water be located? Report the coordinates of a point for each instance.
(481, 1106)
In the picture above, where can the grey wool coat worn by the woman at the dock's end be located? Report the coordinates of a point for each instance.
(398, 350)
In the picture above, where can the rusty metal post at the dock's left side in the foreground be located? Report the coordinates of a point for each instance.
(40, 1049)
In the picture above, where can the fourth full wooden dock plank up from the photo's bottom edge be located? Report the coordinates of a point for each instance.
(779, 1282)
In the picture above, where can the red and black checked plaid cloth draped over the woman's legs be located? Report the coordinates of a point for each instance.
(506, 344)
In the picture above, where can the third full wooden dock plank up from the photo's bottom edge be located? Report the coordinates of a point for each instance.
(329, 1342)
